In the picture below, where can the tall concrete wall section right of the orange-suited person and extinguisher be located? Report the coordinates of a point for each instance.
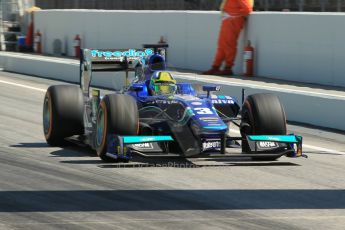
(305, 47)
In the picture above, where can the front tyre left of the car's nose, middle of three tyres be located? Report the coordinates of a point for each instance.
(117, 114)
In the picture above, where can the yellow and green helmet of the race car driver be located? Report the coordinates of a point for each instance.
(162, 83)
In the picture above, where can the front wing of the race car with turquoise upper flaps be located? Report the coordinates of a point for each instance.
(122, 147)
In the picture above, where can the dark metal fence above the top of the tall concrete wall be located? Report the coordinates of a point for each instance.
(260, 5)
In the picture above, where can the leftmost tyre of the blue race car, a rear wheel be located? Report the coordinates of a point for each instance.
(62, 113)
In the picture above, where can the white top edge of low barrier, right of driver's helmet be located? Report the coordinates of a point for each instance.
(256, 86)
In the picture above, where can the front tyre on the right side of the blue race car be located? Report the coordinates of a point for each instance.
(262, 114)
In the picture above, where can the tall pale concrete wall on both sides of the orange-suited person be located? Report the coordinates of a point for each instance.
(306, 47)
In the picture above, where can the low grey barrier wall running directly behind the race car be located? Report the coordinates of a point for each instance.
(320, 109)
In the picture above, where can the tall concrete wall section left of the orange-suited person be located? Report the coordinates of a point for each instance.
(192, 36)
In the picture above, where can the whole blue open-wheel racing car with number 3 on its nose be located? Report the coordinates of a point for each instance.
(154, 115)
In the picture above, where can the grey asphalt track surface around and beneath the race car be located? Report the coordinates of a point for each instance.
(44, 187)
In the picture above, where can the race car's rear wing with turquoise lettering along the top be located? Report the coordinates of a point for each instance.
(108, 60)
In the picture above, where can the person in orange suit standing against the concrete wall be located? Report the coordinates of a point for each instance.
(233, 18)
